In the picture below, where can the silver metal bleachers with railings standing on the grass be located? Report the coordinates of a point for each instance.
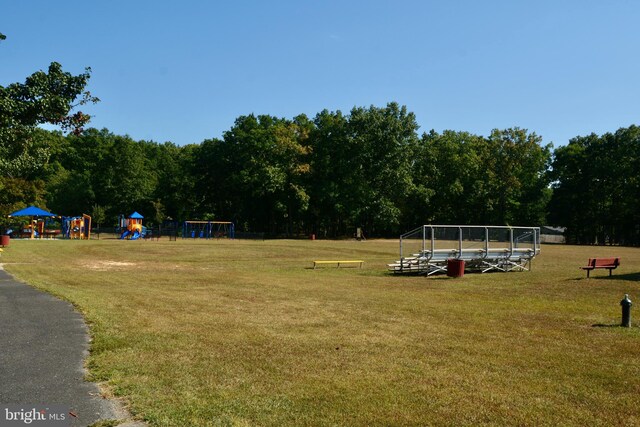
(428, 249)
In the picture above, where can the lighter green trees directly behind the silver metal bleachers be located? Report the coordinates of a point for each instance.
(469, 179)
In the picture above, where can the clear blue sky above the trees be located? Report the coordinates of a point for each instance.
(182, 71)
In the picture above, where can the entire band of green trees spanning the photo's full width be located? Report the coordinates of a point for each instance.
(324, 175)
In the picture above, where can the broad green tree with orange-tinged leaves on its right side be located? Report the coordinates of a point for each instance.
(256, 174)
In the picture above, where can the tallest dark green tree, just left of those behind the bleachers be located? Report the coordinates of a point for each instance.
(362, 169)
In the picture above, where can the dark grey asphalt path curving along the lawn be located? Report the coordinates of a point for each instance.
(43, 343)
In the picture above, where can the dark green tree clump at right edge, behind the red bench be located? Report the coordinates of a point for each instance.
(596, 188)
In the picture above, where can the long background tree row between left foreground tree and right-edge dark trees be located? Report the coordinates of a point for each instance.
(326, 175)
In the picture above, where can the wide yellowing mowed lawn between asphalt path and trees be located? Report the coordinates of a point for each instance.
(224, 332)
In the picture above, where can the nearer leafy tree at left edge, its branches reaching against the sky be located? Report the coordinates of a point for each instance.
(44, 98)
